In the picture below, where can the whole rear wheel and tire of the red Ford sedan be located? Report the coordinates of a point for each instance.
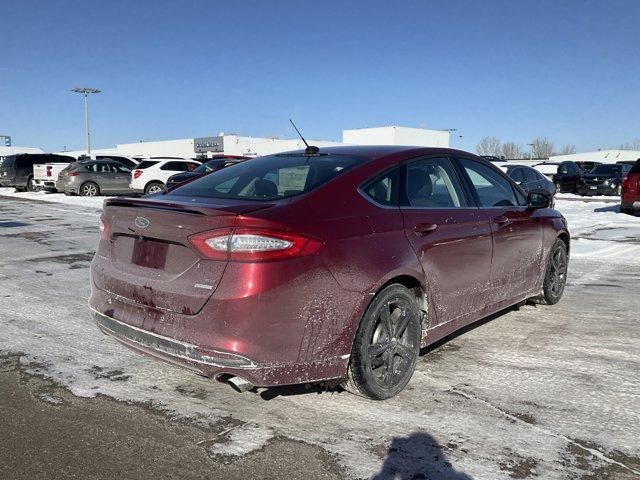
(386, 346)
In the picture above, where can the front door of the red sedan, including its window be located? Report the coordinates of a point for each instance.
(517, 231)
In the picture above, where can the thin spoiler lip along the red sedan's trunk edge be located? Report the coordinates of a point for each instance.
(186, 206)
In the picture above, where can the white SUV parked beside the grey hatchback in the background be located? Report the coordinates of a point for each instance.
(151, 175)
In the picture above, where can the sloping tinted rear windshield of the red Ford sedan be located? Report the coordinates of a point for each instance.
(269, 178)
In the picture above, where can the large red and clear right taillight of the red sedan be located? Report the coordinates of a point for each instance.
(253, 244)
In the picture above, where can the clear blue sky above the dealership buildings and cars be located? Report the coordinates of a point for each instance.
(568, 70)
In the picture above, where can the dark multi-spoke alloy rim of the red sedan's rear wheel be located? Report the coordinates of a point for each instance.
(391, 352)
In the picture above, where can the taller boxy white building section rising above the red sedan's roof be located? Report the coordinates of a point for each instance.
(394, 135)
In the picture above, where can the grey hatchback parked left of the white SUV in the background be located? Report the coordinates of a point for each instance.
(94, 177)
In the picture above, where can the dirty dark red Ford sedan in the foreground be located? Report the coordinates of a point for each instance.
(331, 265)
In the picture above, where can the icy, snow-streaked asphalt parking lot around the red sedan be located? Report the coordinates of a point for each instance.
(539, 392)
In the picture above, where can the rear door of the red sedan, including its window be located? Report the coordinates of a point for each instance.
(450, 235)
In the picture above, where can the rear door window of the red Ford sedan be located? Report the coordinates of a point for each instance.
(432, 183)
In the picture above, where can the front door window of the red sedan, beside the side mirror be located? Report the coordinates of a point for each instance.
(493, 189)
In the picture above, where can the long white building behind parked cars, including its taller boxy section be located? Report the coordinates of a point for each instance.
(231, 144)
